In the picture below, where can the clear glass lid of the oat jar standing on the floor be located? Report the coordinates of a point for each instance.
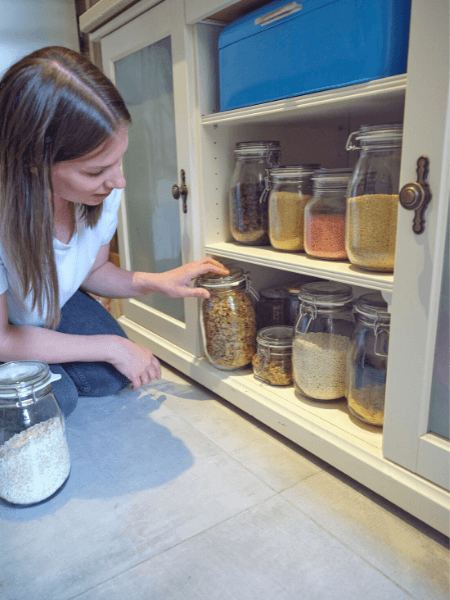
(24, 378)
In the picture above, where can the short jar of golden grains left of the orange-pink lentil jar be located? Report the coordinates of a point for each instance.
(289, 190)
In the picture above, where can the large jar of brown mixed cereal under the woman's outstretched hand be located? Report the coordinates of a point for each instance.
(228, 319)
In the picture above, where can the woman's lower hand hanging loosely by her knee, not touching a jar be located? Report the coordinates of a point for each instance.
(134, 361)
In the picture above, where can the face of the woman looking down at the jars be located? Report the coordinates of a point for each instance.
(91, 178)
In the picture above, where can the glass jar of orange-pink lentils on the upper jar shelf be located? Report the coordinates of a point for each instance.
(325, 214)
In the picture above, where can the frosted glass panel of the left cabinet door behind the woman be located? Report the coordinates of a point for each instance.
(144, 79)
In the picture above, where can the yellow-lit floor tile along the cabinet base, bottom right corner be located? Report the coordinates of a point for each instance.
(401, 546)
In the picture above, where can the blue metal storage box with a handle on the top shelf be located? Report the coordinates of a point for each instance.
(287, 49)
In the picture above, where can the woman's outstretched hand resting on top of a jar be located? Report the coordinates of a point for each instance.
(176, 283)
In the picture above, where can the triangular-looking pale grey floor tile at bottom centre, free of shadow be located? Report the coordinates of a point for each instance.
(269, 552)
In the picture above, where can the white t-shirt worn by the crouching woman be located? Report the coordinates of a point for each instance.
(73, 262)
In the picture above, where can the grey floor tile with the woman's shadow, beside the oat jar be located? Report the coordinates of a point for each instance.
(142, 481)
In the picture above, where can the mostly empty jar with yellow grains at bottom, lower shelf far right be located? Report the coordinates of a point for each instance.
(367, 359)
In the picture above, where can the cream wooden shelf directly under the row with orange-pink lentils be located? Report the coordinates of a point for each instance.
(266, 256)
